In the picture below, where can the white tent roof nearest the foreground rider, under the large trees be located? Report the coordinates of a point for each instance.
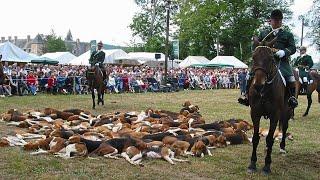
(228, 60)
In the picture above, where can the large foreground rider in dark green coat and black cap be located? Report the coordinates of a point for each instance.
(285, 47)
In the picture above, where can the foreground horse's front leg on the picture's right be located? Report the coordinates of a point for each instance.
(274, 118)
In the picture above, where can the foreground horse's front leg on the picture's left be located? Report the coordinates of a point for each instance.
(255, 141)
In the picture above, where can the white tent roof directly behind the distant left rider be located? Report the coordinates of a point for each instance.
(111, 56)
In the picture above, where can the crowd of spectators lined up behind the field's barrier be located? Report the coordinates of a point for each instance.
(66, 79)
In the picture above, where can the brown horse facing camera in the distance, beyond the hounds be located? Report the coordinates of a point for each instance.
(96, 81)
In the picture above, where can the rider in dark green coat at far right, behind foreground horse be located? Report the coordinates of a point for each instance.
(304, 62)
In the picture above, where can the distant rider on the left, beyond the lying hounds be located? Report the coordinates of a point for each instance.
(98, 56)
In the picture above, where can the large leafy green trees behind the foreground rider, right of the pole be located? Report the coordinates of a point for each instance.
(229, 23)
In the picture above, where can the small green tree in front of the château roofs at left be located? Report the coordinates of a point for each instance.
(53, 43)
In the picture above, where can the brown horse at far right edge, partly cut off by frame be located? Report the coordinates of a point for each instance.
(309, 89)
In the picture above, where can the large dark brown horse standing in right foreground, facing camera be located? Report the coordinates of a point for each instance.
(268, 97)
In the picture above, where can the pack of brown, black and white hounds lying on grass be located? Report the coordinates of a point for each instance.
(133, 136)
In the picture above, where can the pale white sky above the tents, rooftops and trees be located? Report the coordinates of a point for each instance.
(105, 20)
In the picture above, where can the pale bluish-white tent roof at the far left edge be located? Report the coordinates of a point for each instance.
(12, 53)
